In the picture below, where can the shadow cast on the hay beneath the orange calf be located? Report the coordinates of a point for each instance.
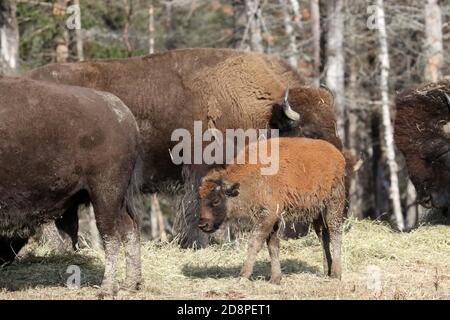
(261, 270)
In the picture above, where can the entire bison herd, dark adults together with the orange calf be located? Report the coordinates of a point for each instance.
(99, 132)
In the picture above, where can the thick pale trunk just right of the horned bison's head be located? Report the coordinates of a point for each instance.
(335, 61)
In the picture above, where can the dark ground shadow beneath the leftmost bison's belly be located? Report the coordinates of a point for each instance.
(50, 271)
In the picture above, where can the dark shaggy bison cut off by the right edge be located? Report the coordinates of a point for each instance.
(422, 133)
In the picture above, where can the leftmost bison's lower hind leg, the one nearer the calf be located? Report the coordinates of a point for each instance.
(131, 239)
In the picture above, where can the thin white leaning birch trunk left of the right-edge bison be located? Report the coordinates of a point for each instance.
(394, 191)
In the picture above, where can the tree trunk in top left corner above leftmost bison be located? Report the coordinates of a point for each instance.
(9, 38)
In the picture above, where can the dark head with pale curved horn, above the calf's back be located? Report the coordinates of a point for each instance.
(306, 112)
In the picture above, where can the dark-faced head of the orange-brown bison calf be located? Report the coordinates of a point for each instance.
(214, 196)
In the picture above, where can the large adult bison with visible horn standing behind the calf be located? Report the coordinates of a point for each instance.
(223, 88)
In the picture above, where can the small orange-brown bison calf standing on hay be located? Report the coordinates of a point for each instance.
(309, 187)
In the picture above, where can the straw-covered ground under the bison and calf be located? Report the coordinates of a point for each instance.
(379, 263)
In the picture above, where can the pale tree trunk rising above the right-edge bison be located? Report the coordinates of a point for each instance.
(434, 47)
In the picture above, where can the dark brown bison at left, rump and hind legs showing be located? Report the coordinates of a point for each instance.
(61, 146)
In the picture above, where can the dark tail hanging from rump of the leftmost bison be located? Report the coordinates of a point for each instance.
(134, 201)
